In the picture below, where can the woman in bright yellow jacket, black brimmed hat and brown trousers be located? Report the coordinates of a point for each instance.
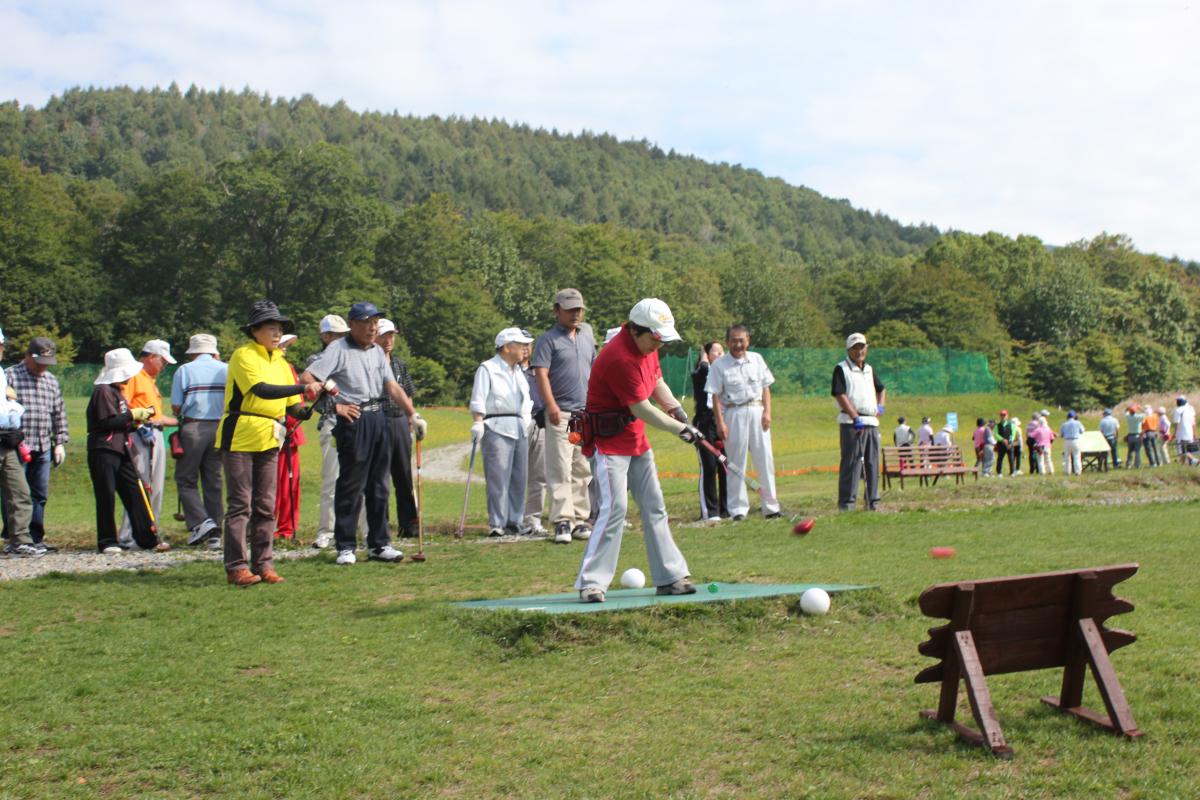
(261, 389)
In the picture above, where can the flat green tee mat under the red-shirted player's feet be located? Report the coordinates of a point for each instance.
(626, 599)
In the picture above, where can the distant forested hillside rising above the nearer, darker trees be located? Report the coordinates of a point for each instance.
(129, 135)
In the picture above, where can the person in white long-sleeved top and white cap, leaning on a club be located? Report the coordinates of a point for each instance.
(501, 414)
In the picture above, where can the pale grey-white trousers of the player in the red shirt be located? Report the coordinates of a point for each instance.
(619, 477)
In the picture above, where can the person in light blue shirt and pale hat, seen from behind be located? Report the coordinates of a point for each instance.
(197, 398)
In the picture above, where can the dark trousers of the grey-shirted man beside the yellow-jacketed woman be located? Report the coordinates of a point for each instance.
(364, 452)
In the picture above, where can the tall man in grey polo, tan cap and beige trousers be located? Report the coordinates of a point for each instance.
(562, 363)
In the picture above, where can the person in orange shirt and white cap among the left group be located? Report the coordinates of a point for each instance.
(142, 392)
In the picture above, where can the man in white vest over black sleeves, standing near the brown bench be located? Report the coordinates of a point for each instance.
(861, 398)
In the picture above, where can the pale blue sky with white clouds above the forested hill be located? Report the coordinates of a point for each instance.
(1055, 119)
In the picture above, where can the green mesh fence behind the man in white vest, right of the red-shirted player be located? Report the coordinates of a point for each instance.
(809, 371)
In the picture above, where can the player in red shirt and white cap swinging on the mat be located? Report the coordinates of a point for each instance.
(625, 378)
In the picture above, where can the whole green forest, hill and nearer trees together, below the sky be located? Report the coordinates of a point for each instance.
(117, 234)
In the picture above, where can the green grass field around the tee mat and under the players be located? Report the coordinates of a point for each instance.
(365, 682)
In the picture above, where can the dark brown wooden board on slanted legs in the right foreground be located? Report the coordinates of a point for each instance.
(1031, 622)
